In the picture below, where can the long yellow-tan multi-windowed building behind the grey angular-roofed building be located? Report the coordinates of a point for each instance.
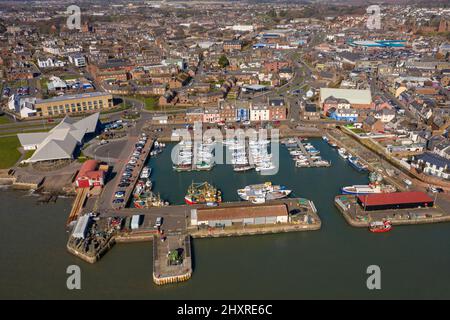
(70, 104)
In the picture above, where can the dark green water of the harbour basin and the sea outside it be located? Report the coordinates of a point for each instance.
(330, 263)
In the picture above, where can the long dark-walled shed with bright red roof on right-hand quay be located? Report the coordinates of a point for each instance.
(395, 200)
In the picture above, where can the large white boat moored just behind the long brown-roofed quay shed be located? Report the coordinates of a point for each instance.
(267, 190)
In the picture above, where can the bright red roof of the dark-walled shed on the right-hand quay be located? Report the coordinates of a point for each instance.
(394, 198)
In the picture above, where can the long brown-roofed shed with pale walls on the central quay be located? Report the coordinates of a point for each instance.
(248, 215)
